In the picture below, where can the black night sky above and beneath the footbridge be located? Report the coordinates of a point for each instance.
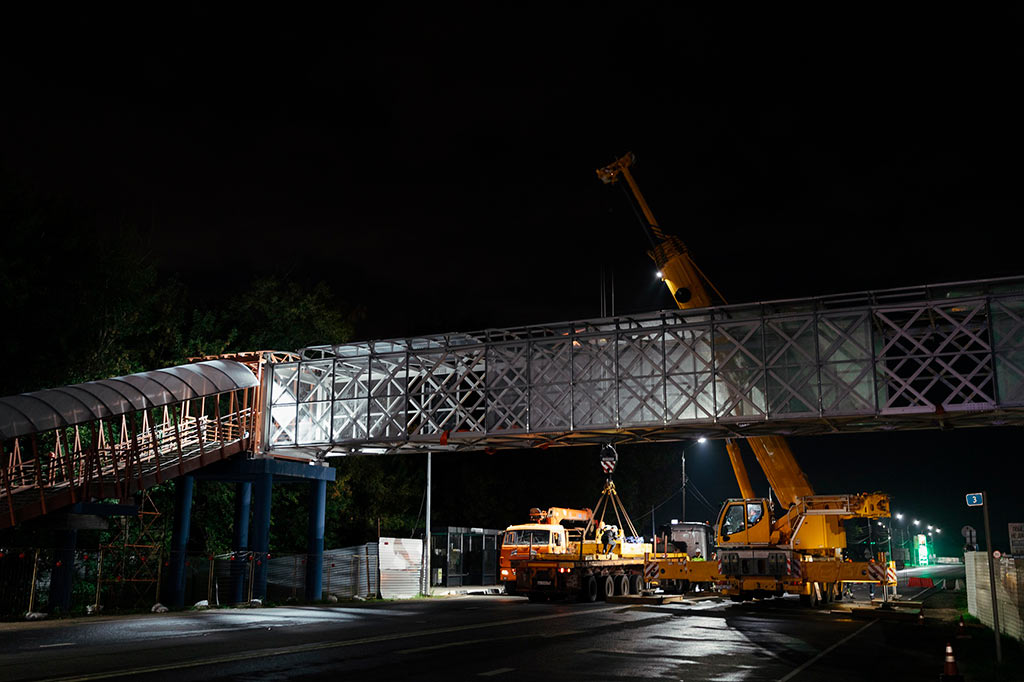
(437, 166)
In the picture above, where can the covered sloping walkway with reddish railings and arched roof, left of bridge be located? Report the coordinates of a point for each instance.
(114, 438)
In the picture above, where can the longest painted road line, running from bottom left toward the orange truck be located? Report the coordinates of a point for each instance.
(318, 647)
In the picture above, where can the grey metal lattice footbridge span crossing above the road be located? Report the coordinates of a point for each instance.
(924, 358)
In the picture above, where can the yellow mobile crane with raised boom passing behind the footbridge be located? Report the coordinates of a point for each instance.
(761, 551)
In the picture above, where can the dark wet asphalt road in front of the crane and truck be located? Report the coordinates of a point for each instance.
(478, 637)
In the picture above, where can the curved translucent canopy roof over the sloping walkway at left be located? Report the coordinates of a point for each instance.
(55, 408)
